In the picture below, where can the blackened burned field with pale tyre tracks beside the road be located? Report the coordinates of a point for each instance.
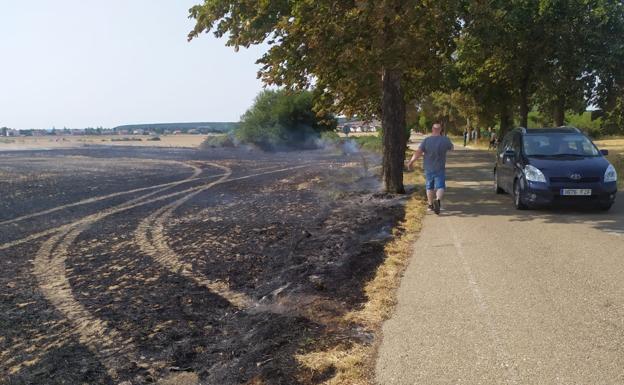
(140, 266)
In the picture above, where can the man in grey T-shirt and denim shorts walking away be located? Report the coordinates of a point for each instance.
(434, 149)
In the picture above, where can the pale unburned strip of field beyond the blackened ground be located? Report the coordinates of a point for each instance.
(57, 142)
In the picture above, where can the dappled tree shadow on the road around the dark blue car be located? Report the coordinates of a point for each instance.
(470, 194)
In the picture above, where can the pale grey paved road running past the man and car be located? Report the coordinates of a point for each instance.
(497, 296)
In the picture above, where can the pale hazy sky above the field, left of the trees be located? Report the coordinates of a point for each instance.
(88, 63)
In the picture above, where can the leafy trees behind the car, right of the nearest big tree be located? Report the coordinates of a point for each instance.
(534, 63)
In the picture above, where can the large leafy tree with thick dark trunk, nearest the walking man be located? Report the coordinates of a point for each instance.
(364, 57)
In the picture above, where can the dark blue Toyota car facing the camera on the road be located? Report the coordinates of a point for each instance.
(548, 166)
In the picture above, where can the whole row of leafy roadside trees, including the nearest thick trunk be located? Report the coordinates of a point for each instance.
(498, 59)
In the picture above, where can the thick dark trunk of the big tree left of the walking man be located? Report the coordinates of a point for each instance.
(394, 133)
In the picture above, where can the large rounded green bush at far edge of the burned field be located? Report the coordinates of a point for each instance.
(283, 119)
